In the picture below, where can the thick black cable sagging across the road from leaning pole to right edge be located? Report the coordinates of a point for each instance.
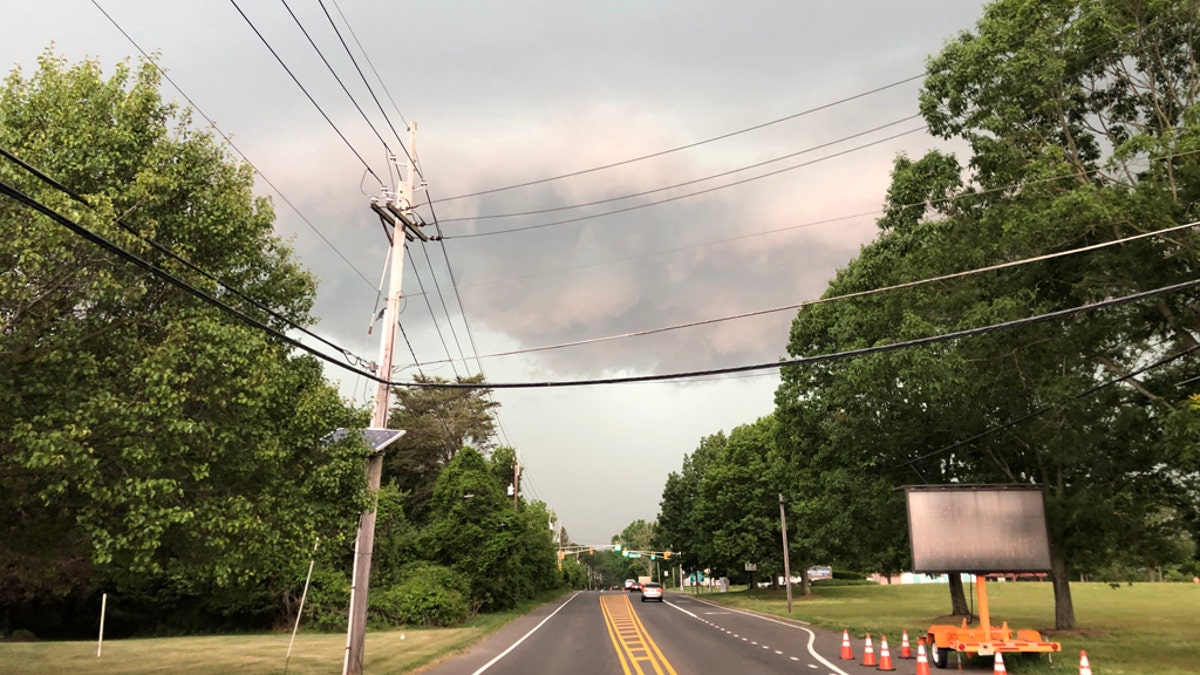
(838, 356)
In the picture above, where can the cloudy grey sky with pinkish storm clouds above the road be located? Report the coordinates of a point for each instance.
(508, 93)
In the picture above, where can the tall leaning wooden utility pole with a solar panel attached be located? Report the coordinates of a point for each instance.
(399, 213)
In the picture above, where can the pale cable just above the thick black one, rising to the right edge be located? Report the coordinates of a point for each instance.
(844, 297)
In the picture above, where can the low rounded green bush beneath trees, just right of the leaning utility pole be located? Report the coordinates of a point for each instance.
(429, 595)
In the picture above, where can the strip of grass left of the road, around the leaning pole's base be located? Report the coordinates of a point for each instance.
(387, 652)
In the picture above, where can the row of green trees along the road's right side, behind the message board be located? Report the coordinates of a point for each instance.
(1083, 123)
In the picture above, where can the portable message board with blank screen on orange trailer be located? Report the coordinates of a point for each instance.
(976, 529)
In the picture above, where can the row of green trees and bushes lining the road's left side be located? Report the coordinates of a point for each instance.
(158, 450)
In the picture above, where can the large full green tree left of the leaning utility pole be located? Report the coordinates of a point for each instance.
(153, 445)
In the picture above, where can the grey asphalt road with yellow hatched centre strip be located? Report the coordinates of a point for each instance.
(614, 634)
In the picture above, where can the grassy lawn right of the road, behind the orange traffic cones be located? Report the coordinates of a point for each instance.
(1130, 630)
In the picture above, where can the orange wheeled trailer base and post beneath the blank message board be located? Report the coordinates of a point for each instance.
(983, 640)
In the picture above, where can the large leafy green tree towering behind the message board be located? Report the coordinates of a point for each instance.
(1082, 121)
